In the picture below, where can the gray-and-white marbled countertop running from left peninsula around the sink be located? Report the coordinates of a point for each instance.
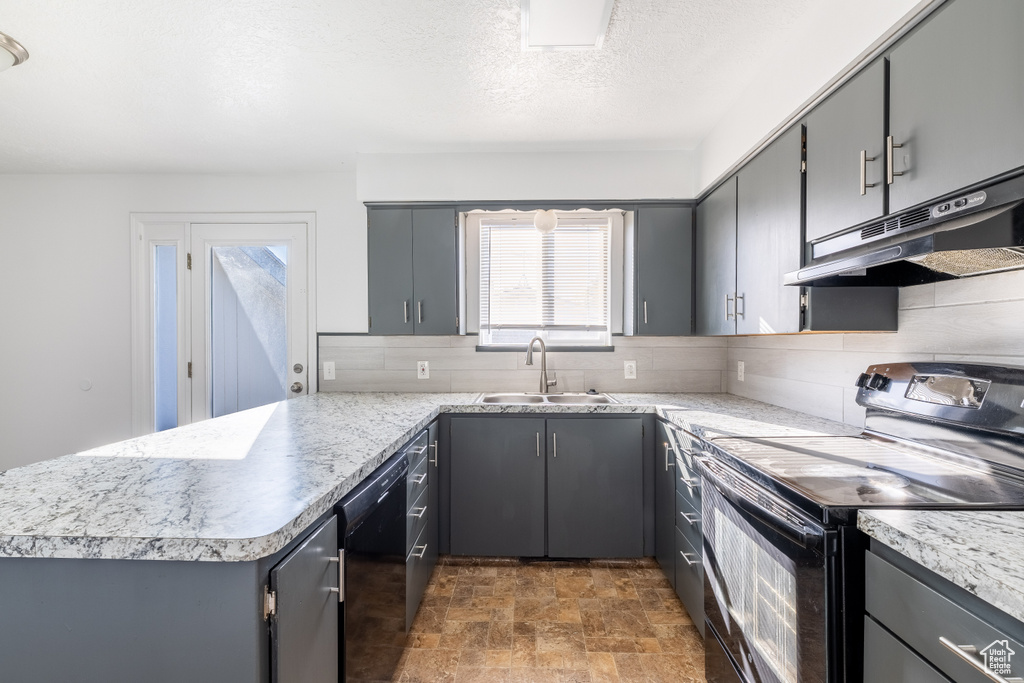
(242, 487)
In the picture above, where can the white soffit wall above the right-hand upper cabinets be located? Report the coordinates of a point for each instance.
(790, 78)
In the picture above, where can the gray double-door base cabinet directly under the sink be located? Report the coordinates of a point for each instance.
(559, 488)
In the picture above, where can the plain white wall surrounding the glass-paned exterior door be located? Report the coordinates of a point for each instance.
(65, 289)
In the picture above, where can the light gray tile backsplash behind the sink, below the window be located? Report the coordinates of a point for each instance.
(364, 363)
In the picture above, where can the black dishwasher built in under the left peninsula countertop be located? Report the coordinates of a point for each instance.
(373, 541)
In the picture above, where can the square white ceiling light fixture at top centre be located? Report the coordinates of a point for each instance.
(565, 25)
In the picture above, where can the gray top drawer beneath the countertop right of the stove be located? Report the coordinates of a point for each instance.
(920, 616)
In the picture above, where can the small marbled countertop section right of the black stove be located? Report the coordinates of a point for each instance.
(980, 551)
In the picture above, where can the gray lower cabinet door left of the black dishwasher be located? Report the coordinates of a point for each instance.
(305, 634)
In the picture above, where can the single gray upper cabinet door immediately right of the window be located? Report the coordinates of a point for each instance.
(665, 271)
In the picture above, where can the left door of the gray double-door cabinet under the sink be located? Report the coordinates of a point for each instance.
(497, 475)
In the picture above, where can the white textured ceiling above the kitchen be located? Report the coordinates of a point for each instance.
(305, 86)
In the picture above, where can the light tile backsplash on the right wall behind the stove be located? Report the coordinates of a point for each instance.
(979, 320)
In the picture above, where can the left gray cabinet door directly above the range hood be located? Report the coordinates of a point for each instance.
(850, 122)
